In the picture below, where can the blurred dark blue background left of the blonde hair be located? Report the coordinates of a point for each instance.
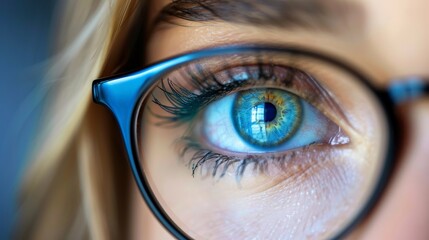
(25, 44)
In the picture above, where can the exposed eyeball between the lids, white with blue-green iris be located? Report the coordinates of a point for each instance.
(265, 120)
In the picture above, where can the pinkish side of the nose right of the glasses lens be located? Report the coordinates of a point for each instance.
(403, 211)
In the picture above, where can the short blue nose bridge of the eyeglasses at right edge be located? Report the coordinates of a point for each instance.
(408, 89)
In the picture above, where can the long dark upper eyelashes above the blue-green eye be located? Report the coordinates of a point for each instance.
(184, 104)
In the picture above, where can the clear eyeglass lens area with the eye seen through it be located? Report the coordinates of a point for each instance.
(261, 145)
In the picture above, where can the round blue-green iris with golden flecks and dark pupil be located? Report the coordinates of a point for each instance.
(266, 117)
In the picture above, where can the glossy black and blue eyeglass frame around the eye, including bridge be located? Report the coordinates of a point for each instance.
(123, 95)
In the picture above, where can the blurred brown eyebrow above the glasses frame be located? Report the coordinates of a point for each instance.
(326, 15)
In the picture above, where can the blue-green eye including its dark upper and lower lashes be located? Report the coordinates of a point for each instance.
(250, 114)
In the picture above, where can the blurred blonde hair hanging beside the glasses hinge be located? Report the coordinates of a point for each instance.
(78, 168)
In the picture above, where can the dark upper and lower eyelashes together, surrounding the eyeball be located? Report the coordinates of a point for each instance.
(183, 105)
